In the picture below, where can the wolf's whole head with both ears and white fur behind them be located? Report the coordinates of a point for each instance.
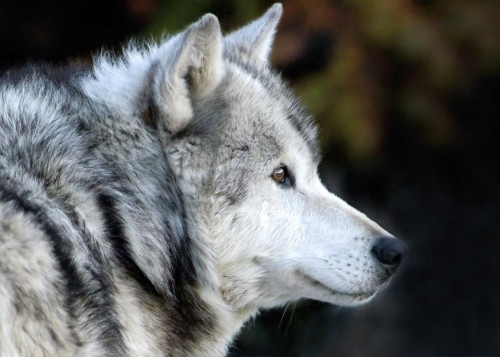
(265, 230)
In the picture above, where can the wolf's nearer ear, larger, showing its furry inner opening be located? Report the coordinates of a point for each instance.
(189, 67)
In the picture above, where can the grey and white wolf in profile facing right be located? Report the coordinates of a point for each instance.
(154, 202)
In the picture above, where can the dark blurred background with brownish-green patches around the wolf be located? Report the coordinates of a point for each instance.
(406, 94)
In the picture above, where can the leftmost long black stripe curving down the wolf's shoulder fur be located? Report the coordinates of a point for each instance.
(96, 301)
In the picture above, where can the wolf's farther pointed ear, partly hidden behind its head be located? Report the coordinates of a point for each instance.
(255, 39)
